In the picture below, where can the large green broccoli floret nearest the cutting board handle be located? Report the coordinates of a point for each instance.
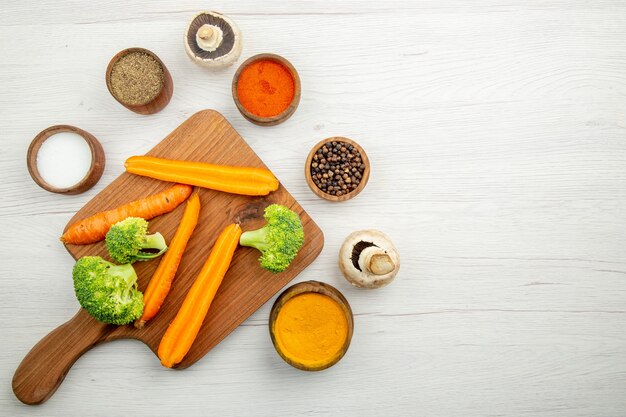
(107, 291)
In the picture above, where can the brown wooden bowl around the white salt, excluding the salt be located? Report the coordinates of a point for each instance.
(93, 174)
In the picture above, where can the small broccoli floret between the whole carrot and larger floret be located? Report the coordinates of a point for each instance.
(126, 239)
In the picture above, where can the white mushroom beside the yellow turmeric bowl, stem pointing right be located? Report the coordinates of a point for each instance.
(368, 259)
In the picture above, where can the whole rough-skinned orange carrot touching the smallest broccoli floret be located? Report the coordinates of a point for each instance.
(94, 228)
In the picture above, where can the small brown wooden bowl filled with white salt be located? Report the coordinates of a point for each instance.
(65, 159)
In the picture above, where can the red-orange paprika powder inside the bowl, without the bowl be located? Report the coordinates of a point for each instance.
(265, 88)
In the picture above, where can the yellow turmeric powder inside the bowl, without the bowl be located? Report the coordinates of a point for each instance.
(311, 329)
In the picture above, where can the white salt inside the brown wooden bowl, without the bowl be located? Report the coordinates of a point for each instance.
(64, 159)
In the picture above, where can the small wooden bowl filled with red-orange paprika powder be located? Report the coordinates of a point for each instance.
(266, 89)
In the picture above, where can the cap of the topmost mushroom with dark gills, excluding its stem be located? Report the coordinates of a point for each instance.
(229, 48)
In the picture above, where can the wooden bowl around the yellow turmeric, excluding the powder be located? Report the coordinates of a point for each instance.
(311, 287)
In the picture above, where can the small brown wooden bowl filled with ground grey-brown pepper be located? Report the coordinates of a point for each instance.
(139, 81)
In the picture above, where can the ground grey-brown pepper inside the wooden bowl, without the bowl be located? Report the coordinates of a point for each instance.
(136, 78)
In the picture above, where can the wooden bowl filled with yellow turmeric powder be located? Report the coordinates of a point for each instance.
(311, 325)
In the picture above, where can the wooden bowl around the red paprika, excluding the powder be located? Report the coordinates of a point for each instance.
(279, 118)
